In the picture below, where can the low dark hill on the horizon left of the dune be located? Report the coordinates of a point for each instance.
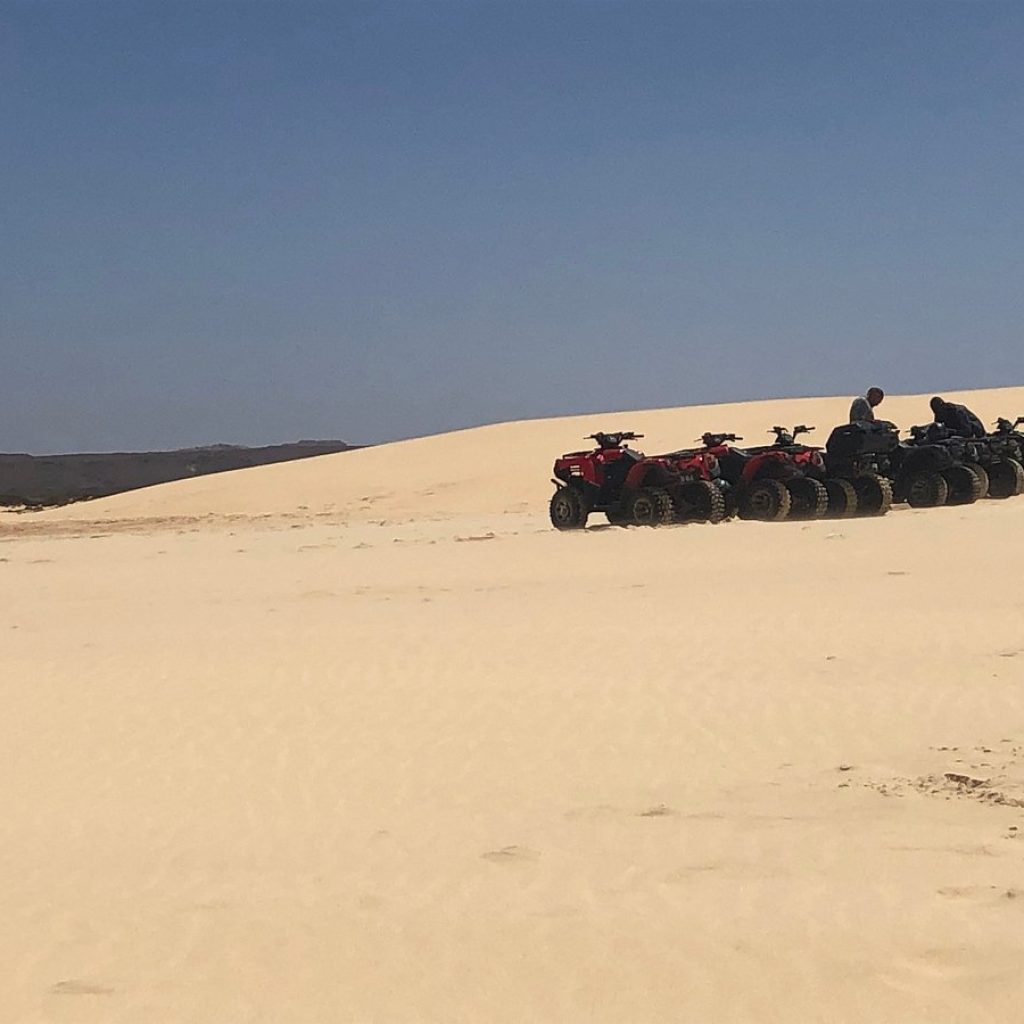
(57, 480)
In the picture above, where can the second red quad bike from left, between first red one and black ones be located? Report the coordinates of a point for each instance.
(771, 483)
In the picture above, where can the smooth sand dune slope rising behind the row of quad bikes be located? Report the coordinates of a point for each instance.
(486, 472)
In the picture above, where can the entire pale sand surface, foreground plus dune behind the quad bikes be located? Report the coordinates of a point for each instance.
(362, 739)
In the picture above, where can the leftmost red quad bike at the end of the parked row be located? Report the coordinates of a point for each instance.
(632, 489)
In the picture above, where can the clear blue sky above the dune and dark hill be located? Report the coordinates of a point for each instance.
(254, 223)
